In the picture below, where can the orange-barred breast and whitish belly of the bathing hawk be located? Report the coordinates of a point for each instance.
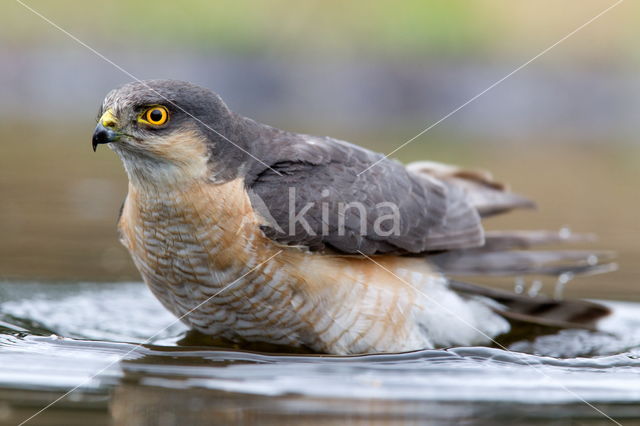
(202, 254)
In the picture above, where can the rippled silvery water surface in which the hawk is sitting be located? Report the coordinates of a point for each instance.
(131, 364)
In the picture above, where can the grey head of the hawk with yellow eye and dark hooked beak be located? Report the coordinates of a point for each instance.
(166, 131)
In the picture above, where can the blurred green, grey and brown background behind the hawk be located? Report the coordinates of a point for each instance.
(562, 130)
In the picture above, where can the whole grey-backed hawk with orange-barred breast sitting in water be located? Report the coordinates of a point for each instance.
(250, 233)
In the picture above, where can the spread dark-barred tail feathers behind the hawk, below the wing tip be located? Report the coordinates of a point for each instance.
(506, 253)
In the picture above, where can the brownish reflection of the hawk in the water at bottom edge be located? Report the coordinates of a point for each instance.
(147, 405)
